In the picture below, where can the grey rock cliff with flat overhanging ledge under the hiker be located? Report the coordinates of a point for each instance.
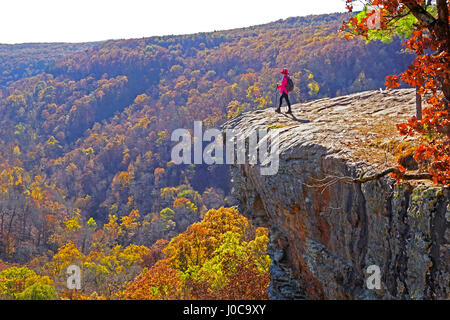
(325, 232)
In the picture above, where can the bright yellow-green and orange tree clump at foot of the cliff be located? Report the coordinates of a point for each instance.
(216, 258)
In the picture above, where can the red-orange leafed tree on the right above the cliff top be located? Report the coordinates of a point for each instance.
(429, 72)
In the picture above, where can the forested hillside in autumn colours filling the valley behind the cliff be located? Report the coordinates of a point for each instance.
(85, 168)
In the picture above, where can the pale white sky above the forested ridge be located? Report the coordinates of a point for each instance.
(94, 20)
